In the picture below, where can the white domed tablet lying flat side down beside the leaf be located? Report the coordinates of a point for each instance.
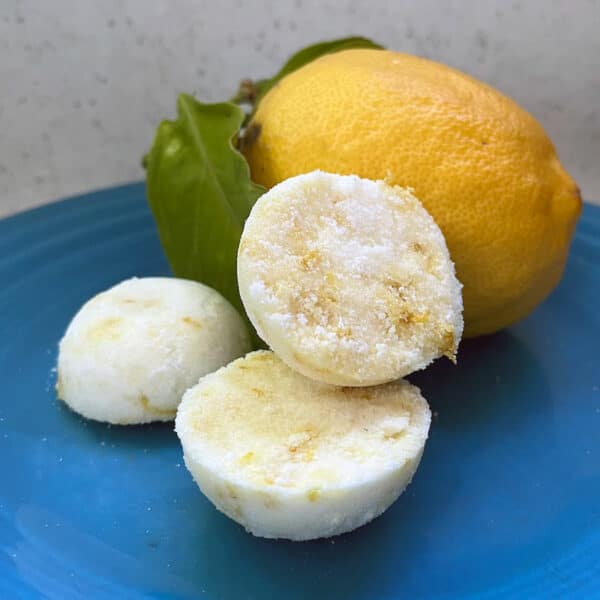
(131, 352)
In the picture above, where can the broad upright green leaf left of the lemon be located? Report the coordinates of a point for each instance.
(200, 192)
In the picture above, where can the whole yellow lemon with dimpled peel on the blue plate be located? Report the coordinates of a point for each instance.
(482, 166)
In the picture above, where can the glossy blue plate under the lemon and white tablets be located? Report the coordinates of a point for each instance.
(506, 502)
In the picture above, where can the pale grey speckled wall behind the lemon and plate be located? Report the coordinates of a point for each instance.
(83, 84)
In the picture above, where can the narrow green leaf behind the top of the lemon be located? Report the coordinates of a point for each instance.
(253, 91)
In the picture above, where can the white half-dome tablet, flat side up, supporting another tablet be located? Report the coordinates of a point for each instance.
(288, 457)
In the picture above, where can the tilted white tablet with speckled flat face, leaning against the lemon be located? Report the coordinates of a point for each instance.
(349, 280)
